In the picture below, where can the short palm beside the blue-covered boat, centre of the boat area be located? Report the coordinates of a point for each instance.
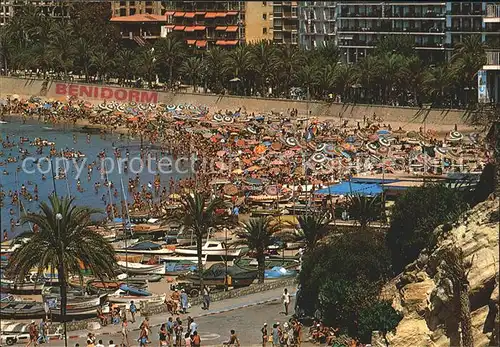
(257, 235)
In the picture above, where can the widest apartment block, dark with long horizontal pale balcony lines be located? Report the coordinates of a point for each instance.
(361, 25)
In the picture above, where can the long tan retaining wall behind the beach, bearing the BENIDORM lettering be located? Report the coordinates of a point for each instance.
(97, 93)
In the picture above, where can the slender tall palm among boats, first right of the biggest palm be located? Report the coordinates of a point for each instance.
(198, 216)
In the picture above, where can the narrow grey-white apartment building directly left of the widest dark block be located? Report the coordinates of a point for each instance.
(316, 23)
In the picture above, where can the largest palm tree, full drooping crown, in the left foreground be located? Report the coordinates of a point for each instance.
(64, 242)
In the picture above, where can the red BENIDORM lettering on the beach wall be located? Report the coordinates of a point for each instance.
(106, 93)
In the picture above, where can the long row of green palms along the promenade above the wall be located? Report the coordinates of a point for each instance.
(394, 74)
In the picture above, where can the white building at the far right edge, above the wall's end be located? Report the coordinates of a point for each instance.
(489, 76)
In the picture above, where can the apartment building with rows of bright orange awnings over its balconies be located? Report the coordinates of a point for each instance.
(207, 24)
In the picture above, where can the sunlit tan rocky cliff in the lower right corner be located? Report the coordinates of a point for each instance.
(425, 296)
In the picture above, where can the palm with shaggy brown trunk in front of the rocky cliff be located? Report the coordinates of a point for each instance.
(456, 269)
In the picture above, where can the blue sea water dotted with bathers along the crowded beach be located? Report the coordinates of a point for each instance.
(64, 137)
